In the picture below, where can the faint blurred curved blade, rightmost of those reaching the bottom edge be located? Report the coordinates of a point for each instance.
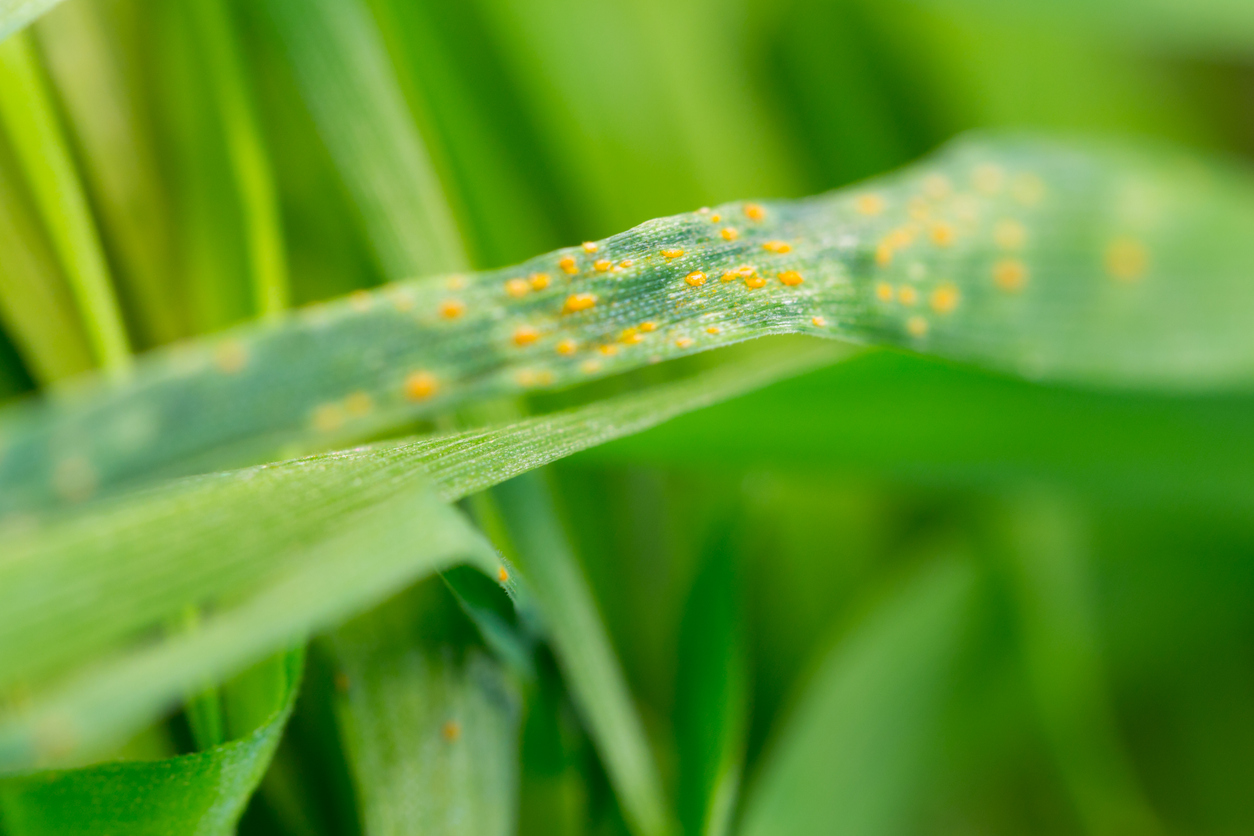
(1045, 557)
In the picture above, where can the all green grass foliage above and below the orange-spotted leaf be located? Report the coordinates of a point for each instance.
(888, 595)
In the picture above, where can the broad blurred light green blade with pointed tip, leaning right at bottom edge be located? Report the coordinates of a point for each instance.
(853, 755)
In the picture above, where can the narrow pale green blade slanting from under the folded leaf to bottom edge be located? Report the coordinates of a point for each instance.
(585, 654)
